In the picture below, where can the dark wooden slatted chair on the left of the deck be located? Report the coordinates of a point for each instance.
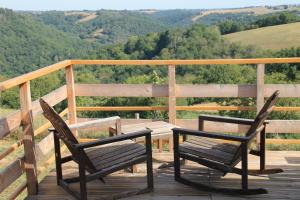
(100, 157)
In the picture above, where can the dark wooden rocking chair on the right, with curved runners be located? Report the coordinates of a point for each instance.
(223, 152)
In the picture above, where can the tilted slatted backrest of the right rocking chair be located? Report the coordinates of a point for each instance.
(258, 123)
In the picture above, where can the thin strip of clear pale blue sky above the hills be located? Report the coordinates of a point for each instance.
(134, 4)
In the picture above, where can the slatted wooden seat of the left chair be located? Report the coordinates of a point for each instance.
(115, 154)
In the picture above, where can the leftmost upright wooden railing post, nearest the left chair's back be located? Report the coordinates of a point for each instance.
(28, 140)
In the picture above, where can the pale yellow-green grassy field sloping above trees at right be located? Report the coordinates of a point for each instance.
(273, 37)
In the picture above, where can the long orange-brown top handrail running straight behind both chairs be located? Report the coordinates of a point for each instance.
(187, 62)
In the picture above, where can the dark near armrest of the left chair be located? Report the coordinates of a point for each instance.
(114, 139)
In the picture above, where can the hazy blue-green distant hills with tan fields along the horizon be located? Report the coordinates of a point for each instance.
(113, 26)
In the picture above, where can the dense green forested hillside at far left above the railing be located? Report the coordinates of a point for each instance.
(27, 44)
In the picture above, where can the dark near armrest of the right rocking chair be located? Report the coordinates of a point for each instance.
(210, 135)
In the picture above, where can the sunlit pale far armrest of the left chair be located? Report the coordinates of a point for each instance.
(90, 123)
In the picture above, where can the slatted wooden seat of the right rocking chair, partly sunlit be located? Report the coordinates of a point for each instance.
(210, 149)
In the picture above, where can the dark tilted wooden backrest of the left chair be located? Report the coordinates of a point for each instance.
(63, 132)
